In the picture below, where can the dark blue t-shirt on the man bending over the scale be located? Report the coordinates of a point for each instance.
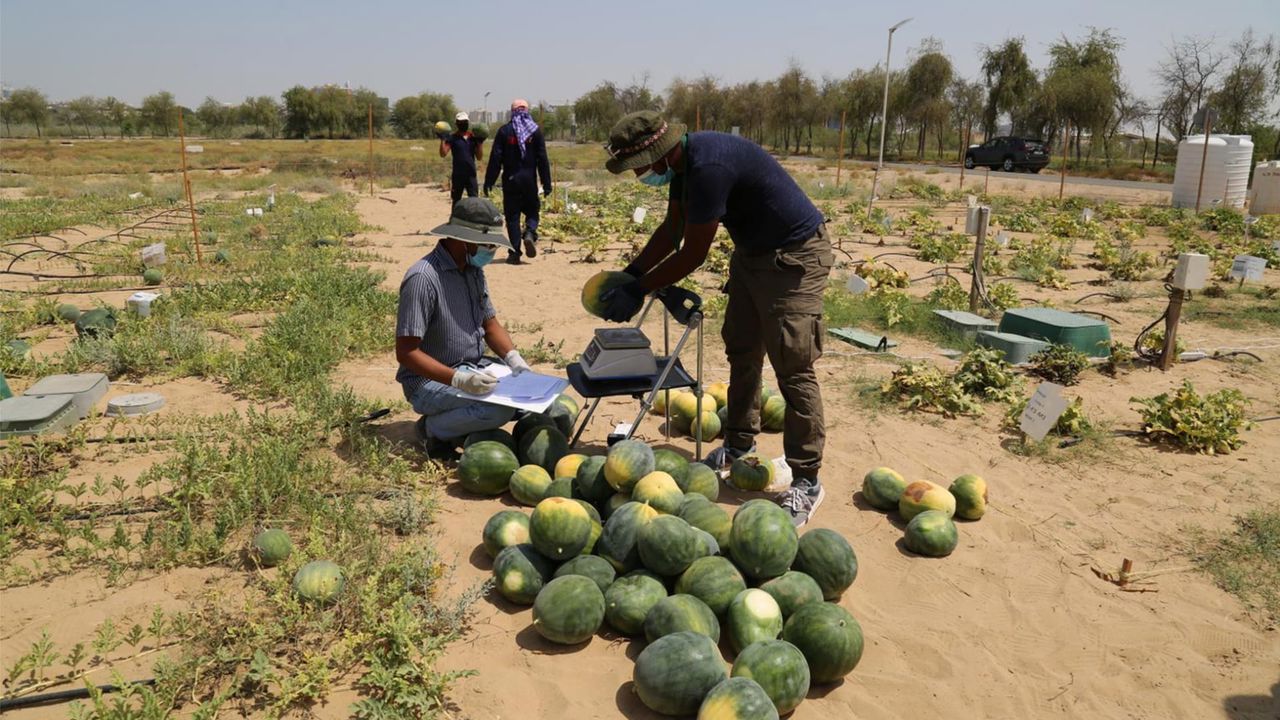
(737, 183)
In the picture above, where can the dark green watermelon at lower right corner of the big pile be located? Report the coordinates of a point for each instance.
(830, 640)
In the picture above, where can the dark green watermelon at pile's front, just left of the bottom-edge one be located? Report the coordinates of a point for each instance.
(675, 673)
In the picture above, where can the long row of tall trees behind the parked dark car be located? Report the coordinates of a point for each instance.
(934, 111)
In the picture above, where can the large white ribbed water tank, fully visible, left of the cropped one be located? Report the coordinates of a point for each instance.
(1227, 171)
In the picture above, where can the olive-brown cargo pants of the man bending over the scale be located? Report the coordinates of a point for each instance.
(775, 311)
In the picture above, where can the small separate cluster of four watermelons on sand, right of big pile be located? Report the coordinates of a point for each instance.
(929, 508)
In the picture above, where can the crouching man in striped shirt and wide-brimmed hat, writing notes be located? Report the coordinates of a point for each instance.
(445, 323)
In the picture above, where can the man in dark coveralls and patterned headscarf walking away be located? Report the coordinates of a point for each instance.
(520, 154)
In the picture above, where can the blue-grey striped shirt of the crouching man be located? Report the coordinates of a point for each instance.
(446, 307)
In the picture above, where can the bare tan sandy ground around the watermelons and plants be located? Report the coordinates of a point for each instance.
(1014, 625)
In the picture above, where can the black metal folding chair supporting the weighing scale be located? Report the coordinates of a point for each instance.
(687, 309)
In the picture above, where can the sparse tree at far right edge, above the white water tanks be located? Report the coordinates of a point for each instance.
(1244, 95)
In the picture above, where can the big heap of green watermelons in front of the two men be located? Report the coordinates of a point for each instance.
(636, 543)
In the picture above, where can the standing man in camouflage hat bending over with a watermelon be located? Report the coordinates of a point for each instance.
(778, 275)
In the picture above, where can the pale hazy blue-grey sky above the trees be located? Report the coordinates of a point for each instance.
(543, 51)
